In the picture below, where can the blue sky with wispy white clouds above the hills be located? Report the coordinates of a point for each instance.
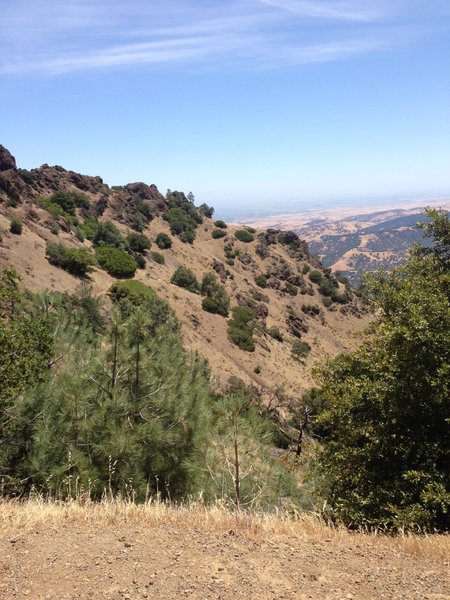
(249, 104)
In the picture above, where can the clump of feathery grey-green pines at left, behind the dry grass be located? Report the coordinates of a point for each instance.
(121, 409)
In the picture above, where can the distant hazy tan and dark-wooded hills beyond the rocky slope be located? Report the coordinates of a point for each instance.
(353, 241)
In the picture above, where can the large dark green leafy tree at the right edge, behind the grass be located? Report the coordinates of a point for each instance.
(386, 419)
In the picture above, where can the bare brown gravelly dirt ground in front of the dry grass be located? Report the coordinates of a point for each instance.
(193, 557)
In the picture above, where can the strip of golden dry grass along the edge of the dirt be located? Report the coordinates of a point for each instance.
(303, 527)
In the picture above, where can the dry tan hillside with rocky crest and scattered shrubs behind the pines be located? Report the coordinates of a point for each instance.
(286, 298)
